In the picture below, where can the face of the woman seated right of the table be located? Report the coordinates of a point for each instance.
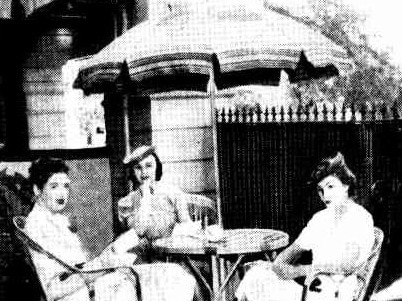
(332, 191)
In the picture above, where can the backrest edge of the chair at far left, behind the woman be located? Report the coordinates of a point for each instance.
(19, 224)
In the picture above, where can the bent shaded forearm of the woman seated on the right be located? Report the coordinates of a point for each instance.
(283, 265)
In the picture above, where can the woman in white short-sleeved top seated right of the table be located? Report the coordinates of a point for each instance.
(339, 237)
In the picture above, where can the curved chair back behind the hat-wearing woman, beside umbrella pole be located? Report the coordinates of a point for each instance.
(201, 208)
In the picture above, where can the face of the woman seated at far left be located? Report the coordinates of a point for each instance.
(55, 192)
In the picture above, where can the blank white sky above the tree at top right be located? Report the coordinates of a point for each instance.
(383, 21)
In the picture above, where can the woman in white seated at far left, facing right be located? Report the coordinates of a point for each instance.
(49, 226)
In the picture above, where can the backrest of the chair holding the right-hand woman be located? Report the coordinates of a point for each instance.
(365, 274)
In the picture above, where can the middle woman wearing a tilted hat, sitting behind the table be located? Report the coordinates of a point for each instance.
(154, 209)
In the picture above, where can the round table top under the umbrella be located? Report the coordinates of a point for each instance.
(234, 241)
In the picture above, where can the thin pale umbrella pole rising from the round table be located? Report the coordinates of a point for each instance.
(212, 91)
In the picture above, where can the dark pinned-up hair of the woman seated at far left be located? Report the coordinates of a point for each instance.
(43, 168)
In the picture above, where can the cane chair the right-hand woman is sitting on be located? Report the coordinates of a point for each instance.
(366, 281)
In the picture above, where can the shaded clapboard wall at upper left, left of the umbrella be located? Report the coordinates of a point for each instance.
(43, 87)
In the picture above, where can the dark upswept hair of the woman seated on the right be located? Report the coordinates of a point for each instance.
(336, 166)
